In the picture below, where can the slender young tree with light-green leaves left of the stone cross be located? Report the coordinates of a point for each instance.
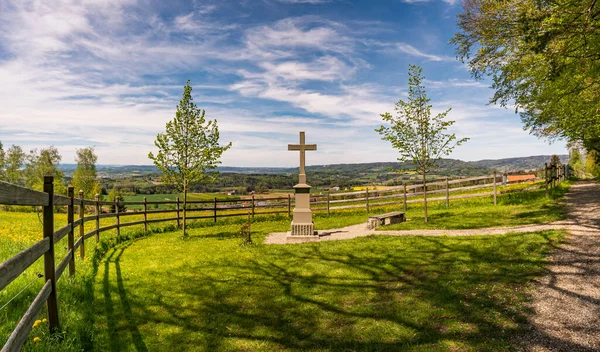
(189, 150)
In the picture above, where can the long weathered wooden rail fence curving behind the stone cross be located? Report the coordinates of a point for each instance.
(16, 195)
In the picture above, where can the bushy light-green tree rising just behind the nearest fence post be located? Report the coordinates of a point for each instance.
(44, 163)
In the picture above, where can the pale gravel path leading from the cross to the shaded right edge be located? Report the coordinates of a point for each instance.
(566, 301)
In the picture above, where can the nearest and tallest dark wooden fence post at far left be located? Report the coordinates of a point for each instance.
(49, 273)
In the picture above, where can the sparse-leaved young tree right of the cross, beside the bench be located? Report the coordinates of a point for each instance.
(419, 137)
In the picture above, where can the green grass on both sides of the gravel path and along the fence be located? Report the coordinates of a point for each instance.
(209, 293)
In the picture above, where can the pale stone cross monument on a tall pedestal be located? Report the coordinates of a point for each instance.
(302, 225)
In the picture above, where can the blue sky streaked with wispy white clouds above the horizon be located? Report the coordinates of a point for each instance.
(109, 74)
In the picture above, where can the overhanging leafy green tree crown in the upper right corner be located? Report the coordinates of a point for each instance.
(544, 57)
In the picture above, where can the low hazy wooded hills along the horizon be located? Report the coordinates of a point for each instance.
(445, 167)
